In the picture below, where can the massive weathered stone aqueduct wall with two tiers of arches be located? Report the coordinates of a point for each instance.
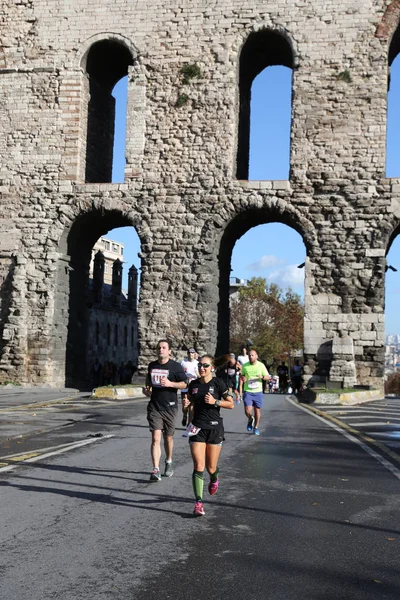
(186, 190)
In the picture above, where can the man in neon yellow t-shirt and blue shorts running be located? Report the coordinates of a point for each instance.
(253, 374)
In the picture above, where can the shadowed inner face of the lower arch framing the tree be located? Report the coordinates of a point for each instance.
(236, 228)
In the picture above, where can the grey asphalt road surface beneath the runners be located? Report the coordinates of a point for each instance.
(302, 513)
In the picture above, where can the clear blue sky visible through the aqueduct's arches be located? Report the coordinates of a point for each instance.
(274, 250)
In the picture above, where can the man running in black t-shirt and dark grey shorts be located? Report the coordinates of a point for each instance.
(164, 378)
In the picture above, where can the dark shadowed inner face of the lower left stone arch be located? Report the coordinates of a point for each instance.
(73, 298)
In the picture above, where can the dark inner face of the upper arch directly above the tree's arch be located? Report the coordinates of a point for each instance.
(263, 47)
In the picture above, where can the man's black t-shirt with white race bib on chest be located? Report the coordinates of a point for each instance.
(163, 398)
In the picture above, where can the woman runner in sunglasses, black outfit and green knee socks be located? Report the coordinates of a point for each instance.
(206, 396)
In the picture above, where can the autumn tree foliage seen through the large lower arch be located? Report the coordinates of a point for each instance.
(271, 317)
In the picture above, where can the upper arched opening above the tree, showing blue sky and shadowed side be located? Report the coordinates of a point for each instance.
(262, 49)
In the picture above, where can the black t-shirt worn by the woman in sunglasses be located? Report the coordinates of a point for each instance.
(206, 416)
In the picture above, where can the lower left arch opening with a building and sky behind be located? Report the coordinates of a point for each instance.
(94, 305)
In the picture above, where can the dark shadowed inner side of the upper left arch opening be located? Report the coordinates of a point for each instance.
(107, 62)
